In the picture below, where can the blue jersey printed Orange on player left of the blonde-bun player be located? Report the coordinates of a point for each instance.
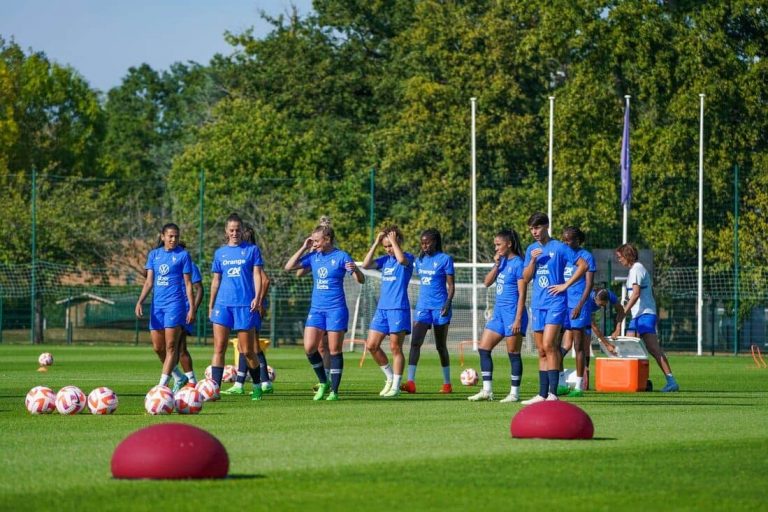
(235, 264)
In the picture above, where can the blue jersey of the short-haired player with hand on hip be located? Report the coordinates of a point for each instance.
(550, 266)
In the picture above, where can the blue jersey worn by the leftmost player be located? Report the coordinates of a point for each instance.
(169, 268)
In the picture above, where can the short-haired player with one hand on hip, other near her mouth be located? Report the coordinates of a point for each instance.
(545, 262)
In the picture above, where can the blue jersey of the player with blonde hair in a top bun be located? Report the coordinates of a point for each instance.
(328, 271)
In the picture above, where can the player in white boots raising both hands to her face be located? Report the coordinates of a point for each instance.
(393, 311)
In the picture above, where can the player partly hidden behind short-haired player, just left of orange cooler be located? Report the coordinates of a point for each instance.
(578, 318)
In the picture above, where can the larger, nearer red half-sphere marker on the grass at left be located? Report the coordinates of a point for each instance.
(170, 451)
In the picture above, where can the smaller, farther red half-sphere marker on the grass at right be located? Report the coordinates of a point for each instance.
(552, 420)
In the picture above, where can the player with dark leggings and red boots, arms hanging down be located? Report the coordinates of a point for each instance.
(435, 271)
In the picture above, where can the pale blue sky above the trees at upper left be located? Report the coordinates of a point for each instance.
(101, 39)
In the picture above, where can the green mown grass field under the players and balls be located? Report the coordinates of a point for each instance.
(705, 448)
